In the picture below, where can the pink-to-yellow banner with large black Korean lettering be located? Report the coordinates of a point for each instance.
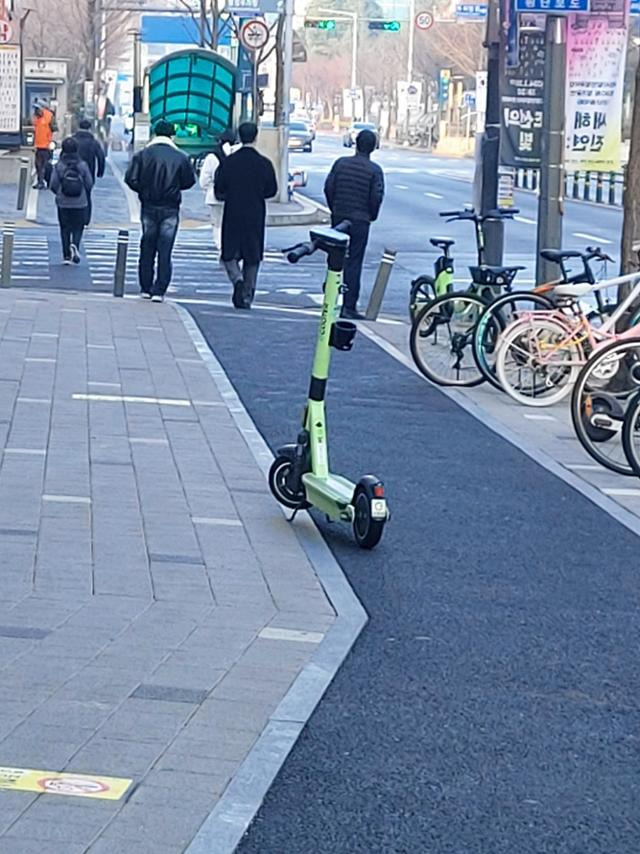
(596, 54)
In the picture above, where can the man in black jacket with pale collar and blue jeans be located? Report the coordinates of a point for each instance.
(158, 174)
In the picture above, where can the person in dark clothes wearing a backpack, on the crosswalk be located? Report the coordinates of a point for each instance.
(71, 182)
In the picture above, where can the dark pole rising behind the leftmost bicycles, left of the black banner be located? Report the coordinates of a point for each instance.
(490, 145)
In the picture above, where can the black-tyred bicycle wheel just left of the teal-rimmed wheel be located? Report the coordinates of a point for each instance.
(441, 337)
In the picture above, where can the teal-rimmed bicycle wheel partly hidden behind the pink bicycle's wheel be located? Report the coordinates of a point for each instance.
(497, 316)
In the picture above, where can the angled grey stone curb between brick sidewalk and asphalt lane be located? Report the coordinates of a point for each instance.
(225, 826)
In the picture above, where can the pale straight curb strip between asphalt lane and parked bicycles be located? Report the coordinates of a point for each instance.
(542, 458)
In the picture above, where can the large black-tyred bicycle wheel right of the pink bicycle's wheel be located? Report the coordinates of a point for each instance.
(601, 394)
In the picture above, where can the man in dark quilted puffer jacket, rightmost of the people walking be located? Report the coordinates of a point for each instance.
(354, 190)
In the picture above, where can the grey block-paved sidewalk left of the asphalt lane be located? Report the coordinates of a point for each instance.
(155, 606)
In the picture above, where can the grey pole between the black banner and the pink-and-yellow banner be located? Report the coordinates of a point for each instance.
(551, 201)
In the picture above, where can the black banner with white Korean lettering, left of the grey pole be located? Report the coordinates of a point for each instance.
(521, 102)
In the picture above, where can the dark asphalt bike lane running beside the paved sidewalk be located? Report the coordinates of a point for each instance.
(491, 704)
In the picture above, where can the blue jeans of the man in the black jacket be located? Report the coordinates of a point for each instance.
(159, 229)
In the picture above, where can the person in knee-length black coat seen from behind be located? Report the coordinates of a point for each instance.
(243, 182)
